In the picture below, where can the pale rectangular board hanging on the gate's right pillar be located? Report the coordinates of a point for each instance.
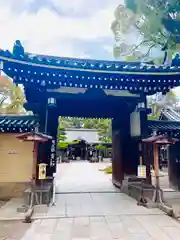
(135, 124)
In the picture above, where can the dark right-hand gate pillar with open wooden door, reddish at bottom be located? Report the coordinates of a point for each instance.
(124, 149)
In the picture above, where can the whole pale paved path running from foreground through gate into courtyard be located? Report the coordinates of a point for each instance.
(100, 215)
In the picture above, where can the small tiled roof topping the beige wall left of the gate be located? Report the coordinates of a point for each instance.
(17, 124)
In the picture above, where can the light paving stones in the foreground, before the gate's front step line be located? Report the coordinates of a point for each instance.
(135, 227)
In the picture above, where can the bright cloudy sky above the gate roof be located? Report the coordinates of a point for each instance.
(75, 28)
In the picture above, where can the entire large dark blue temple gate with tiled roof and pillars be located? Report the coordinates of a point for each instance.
(57, 86)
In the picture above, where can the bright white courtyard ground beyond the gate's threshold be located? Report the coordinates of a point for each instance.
(83, 177)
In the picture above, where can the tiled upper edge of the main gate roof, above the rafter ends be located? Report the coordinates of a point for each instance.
(88, 65)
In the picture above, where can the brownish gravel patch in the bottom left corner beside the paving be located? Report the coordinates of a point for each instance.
(12, 230)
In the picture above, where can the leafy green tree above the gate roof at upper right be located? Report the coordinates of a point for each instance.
(157, 23)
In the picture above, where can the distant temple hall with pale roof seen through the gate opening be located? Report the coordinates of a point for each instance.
(83, 144)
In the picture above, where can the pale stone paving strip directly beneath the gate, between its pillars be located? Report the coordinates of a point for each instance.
(96, 204)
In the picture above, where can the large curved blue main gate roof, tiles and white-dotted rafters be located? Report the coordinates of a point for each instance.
(54, 72)
